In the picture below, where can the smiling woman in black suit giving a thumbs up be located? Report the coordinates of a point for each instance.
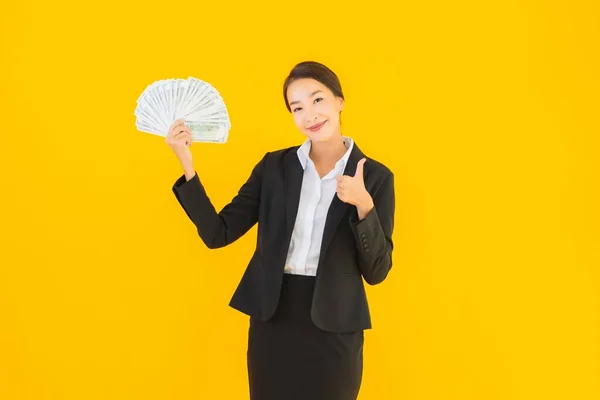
(325, 220)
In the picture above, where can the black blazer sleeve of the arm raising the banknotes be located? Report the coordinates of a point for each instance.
(218, 229)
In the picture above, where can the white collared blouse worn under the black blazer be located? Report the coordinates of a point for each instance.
(315, 198)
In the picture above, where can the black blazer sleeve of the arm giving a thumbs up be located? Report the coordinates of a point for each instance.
(373, 234)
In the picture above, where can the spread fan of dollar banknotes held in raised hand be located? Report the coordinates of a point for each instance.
(197, 102)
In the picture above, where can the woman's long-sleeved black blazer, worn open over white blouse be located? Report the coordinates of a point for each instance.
(351, 250)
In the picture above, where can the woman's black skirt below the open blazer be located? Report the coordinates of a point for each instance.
(290, 358)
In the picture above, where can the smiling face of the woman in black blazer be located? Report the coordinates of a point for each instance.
(312, 103)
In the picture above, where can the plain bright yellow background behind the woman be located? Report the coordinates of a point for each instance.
(487, 112)
